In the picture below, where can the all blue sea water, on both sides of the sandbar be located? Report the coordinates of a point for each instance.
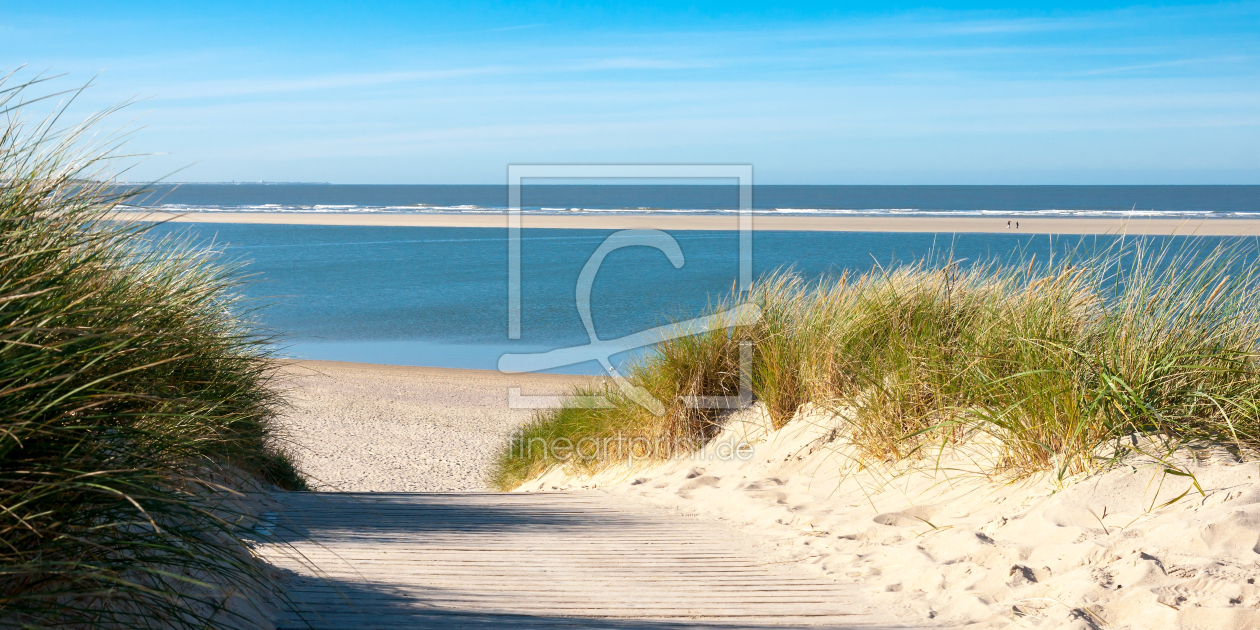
(440, 297)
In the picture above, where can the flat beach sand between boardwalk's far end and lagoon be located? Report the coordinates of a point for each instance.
(364, 428)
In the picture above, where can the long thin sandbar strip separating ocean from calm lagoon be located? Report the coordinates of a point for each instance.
(729, 222)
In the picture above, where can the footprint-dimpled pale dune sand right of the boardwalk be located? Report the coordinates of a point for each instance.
(949, 545)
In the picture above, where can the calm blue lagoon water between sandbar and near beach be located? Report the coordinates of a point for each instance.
(438, 297)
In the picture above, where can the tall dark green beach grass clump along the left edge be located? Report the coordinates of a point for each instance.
(137, 406)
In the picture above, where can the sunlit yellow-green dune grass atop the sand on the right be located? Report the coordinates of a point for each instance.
(1053, 360)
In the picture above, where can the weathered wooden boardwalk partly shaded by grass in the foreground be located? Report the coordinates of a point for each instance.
(479, 561)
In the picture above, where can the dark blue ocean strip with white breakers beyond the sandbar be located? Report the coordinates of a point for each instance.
(1171, 202)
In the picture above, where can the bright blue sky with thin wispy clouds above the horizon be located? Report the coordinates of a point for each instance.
(893, 94)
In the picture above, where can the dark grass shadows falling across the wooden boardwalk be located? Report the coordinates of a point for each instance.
(355, 521)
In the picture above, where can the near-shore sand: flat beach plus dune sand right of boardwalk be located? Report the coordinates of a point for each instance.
(944, 542)
